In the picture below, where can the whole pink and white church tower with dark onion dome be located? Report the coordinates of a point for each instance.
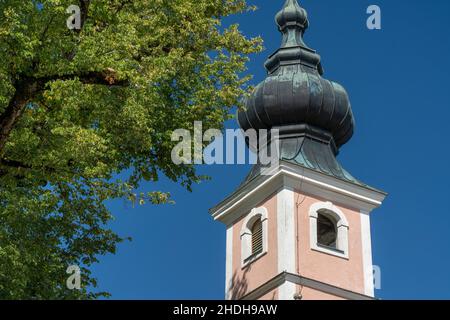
(302, 232)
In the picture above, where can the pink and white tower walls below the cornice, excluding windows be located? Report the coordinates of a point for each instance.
(290, 250)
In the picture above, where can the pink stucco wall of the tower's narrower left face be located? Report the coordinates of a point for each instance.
(265, 268)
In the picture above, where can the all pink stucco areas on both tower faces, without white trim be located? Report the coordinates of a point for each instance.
(333, 270)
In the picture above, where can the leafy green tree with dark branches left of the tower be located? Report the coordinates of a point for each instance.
(79, 106)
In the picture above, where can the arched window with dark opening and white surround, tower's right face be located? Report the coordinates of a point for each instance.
(328, 229)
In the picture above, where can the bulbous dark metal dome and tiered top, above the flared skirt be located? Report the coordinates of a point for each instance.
(295, 93)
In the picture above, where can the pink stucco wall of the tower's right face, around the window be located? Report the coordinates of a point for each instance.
(336, 271)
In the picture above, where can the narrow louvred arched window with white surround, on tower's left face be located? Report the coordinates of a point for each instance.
(254, 238)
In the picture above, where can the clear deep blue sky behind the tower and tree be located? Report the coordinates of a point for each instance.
(398, 82)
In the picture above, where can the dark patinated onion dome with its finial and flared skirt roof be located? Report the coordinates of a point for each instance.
(313, 115)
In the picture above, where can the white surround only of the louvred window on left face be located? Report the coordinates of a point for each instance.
(246, 235)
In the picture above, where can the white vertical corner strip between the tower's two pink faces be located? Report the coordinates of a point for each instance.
(286, 231)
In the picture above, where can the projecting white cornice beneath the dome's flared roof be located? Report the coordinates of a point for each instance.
(299, 178)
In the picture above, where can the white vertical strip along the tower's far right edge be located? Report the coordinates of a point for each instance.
(367, 254)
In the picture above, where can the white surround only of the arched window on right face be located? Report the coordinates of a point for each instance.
(342, 229)
